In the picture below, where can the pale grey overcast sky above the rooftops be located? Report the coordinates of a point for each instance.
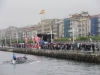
(20, 13)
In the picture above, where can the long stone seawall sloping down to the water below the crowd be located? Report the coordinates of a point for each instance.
(70, 55)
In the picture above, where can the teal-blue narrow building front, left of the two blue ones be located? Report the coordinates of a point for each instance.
(66, 27)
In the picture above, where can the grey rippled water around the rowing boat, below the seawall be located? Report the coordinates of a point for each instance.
(46, 66)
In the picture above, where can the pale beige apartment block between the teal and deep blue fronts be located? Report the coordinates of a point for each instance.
(80, 23)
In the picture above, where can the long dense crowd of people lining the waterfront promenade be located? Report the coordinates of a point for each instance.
(79, 46)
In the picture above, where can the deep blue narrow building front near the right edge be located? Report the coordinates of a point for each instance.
(94, 26)
